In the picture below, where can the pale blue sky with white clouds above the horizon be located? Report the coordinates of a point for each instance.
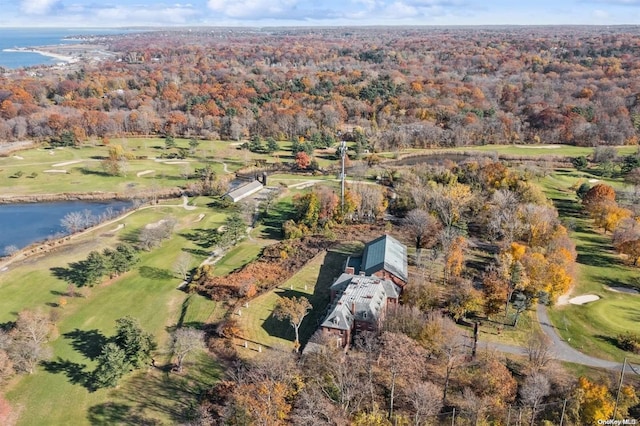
(118, 13)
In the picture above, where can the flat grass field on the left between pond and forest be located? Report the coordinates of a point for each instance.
(78, 169)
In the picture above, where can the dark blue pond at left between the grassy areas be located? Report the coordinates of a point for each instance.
(24, 224)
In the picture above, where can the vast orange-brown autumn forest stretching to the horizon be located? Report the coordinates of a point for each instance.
(398, 87)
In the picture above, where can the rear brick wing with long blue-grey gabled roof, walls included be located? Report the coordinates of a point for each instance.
(385, 257)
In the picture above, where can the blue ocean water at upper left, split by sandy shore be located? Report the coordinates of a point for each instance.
(11, 38)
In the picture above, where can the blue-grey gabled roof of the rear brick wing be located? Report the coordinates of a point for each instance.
(385, 253)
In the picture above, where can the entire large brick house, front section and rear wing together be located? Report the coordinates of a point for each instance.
(370, 283)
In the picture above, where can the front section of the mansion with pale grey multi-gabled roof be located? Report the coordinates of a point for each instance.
(358, 303)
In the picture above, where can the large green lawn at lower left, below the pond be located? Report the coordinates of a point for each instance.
(58, 393)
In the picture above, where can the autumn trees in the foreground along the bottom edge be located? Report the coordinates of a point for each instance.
(418, 370)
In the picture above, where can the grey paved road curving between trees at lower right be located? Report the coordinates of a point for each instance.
(561, 349)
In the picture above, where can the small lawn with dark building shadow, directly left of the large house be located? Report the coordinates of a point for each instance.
(257, 323)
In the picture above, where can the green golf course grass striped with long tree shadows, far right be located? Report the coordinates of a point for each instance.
(591, 328)
